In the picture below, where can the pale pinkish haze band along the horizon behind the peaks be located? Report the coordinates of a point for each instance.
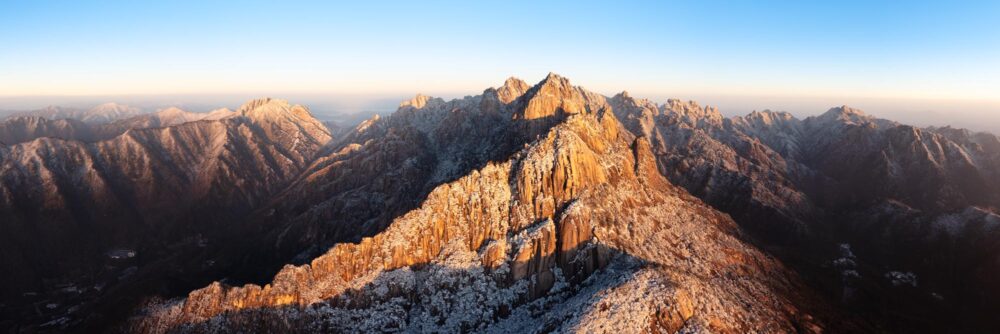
(917, 112)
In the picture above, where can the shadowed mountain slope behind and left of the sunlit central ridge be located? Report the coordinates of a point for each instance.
(387, 167)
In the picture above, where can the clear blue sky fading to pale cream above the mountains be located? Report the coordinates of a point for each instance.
(752, 50)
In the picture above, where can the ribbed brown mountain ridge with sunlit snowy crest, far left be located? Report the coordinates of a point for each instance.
(160, 191)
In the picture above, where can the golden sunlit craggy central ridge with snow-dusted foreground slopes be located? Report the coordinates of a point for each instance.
(574, 222)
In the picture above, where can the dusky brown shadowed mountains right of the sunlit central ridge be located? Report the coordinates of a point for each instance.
(806, 186)
